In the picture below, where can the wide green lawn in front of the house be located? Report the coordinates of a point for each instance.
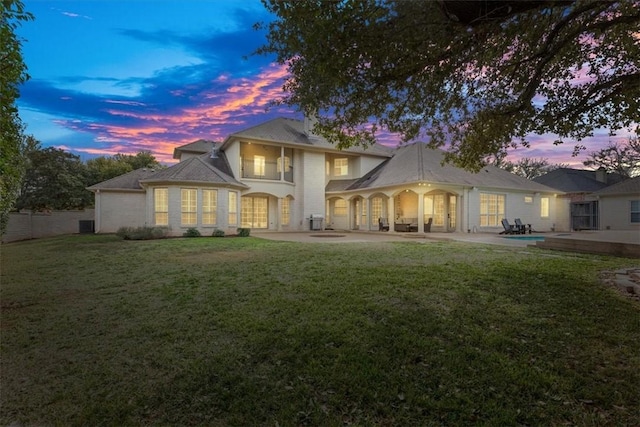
(100, 331)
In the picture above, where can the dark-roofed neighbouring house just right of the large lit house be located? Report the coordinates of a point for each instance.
(578, 207)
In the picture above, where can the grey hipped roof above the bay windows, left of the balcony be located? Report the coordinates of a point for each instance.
(197, 169)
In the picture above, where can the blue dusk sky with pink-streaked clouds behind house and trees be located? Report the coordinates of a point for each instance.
(119, 76)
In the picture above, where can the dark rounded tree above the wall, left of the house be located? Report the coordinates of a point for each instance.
(54, 180)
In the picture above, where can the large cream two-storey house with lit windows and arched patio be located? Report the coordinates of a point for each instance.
(280, 176)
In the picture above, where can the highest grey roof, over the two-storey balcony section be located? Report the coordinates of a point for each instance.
(289, 131)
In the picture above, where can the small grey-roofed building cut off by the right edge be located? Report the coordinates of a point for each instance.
(620, 205)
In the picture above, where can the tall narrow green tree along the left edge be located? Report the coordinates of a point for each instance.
(12, 74)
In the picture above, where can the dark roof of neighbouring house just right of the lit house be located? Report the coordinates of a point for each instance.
(576, 180)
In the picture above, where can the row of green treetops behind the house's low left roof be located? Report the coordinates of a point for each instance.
(104, 168)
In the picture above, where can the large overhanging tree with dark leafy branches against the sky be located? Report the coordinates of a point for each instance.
(474, 76)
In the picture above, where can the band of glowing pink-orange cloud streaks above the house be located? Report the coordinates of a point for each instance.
(215, 116)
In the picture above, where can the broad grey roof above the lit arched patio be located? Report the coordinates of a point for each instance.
(418, 163)
